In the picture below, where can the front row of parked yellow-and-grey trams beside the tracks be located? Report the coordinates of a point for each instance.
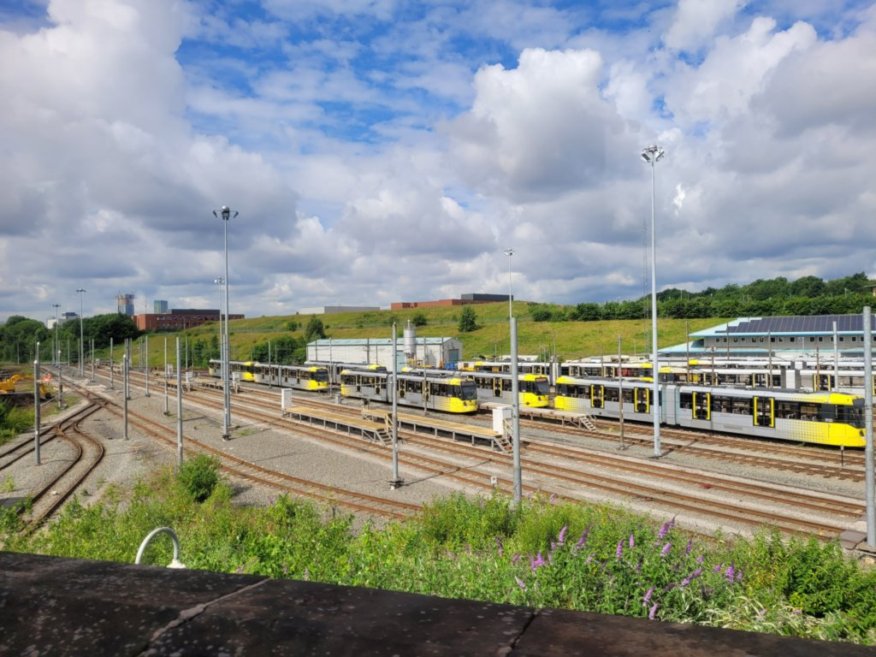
(827, 418)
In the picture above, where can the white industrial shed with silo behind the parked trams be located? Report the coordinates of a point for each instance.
(410, 350)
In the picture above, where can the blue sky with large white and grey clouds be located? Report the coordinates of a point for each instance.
(381, 151)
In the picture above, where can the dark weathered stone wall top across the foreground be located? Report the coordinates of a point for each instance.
(75, 607)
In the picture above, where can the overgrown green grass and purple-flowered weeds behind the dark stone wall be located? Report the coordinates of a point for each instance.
(590, 558)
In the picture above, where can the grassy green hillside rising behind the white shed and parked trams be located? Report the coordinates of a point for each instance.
(566, 339)
